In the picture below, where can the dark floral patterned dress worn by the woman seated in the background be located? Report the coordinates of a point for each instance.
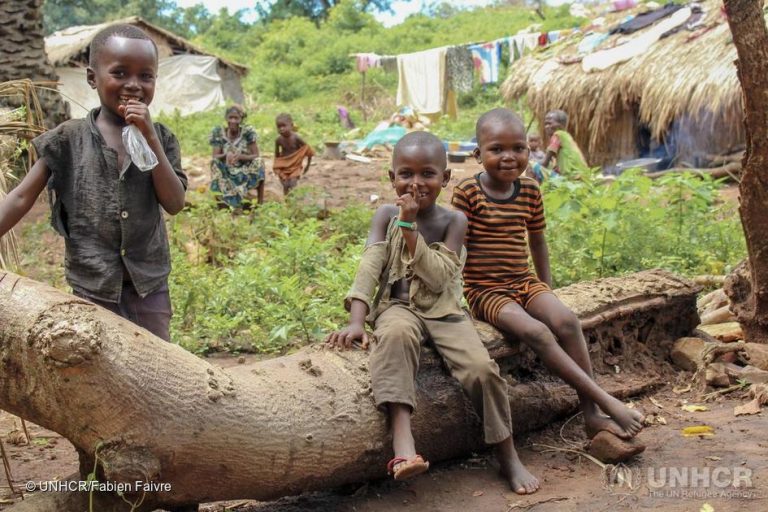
(232, 182)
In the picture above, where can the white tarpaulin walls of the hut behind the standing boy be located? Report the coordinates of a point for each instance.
(189, 83)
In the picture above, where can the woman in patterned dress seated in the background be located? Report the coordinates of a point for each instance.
(236, 166)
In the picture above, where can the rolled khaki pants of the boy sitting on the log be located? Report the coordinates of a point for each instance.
(394, 361)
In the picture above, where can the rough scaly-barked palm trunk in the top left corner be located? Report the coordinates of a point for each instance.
(22, 55)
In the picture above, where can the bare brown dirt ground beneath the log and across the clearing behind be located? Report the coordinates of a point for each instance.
(675, 473)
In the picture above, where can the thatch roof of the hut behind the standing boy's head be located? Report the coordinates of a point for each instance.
(71, 44)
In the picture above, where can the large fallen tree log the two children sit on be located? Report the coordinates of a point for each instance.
(153, 412)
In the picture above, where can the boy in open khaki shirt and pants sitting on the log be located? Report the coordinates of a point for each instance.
(408, 286)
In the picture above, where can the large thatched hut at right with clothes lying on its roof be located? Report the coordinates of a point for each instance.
(682, 92)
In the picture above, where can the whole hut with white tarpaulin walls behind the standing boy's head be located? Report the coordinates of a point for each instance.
(189, 80)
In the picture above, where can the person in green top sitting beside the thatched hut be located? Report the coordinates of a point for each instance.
(562, 149)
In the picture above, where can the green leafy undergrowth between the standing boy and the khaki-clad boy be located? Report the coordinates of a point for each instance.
(264, 281)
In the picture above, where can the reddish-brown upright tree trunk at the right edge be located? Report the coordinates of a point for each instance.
(749, 291)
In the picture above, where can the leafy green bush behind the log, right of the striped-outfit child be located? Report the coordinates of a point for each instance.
(634, 223)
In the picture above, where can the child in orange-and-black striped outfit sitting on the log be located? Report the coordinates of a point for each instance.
(502, 209)
